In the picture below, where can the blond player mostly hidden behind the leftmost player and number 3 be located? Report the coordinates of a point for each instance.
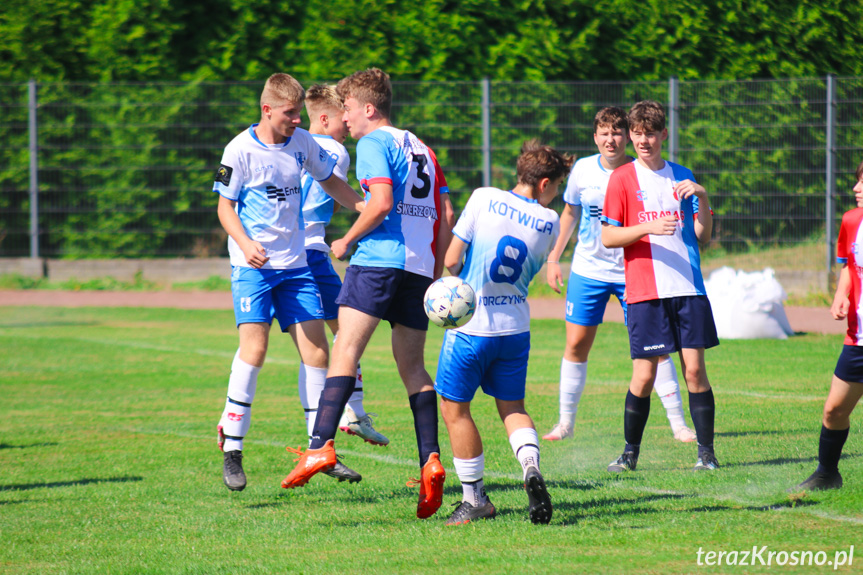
(325, 109)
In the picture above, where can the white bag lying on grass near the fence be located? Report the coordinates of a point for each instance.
(747, 305)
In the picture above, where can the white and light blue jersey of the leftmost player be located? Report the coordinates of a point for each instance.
(264, 180)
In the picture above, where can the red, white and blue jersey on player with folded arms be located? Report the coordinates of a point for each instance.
(657, 267)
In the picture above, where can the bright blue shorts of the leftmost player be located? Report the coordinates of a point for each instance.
(291, 295)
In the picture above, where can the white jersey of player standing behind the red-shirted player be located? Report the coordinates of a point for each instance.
(586, 187)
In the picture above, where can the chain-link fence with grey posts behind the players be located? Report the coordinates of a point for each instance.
(125, 170)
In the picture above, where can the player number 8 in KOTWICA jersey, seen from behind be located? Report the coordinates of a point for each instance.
(506, 235)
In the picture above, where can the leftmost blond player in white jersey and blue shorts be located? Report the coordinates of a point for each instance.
(258, 183)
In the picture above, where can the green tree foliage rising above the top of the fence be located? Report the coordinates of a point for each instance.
(530, 40)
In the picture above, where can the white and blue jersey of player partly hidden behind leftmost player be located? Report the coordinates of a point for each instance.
(319, 206)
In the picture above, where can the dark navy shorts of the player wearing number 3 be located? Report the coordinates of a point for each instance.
(387, 293)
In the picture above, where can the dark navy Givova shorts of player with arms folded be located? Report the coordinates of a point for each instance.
(660, 326)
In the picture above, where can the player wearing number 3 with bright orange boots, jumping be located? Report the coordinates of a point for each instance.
(401, 237)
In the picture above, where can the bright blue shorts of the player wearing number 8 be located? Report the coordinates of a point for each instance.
(498, 364)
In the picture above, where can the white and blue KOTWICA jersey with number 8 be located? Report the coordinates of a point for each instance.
(509, 237)
